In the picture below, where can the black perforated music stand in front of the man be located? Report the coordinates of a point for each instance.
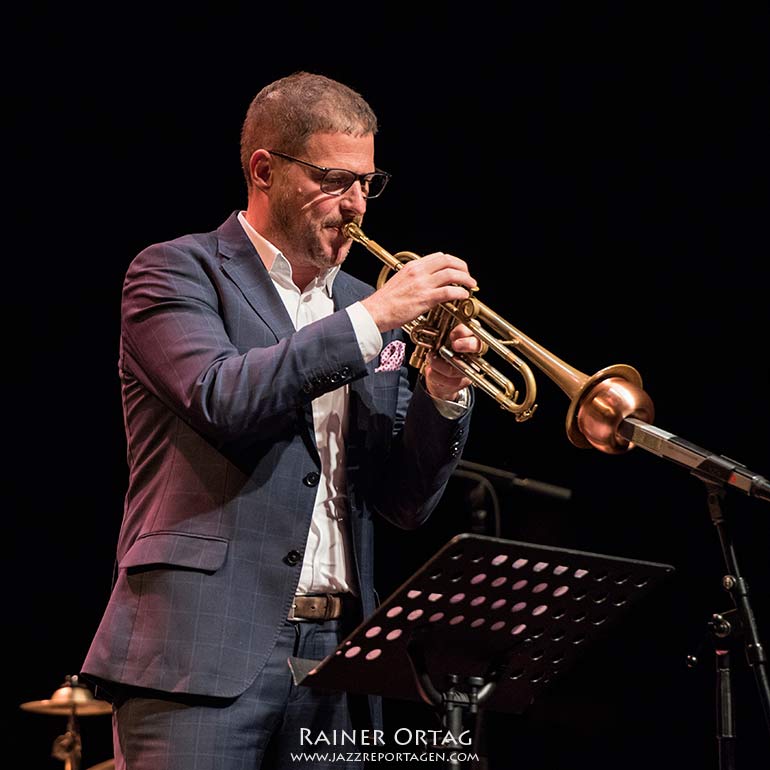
(485, 623)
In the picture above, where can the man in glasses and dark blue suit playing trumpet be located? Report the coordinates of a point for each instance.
(268, 419)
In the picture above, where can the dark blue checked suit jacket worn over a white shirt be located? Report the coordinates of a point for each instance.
(217, 388)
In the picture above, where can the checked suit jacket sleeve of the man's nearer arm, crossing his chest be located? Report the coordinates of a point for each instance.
(176, 342)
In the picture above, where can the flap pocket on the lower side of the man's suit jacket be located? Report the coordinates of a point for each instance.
(176, 549)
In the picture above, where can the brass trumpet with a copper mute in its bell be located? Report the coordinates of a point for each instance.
(598, 403)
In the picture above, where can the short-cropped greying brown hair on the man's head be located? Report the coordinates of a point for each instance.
(286, 113)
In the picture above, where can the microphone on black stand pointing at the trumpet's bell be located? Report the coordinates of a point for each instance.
(718, 473)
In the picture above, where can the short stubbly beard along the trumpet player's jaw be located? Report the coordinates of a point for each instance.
(306, 241)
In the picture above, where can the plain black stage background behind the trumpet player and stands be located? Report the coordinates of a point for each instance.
(604, 173)
